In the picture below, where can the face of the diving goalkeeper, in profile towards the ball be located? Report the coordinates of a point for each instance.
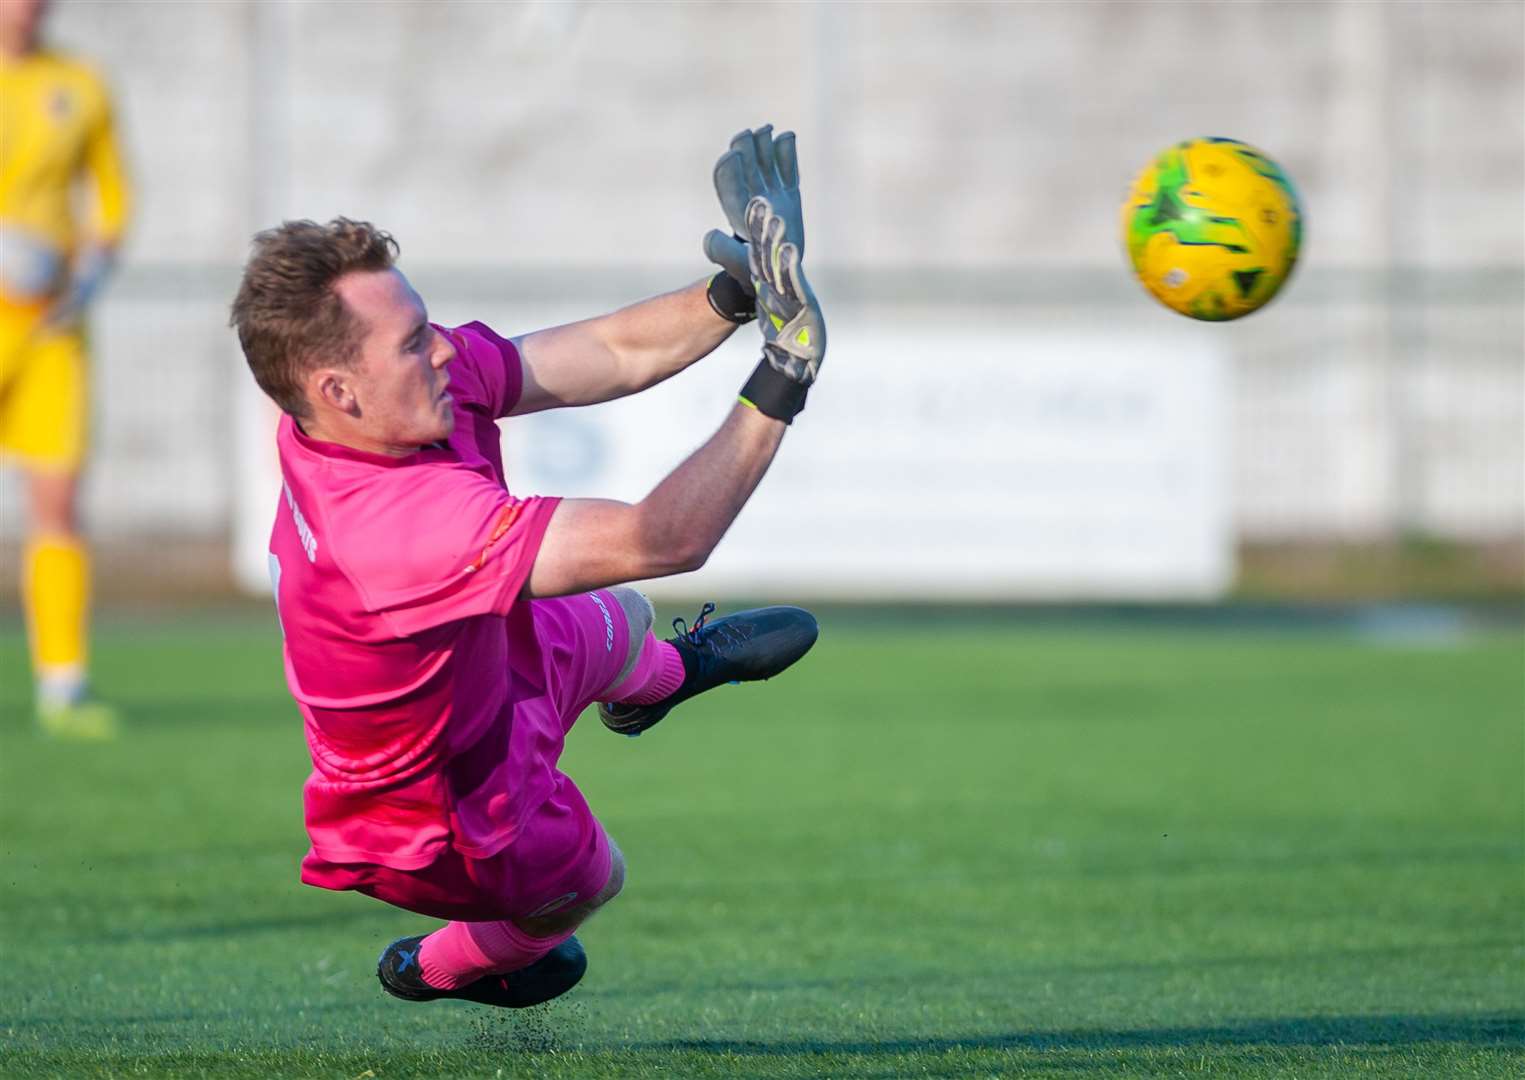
(399, 385)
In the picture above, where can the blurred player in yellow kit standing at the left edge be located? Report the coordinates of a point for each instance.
(63, 207)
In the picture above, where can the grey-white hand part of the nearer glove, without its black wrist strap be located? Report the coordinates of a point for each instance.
(789, 315)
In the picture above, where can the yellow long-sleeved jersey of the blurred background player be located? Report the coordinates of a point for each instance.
(56, 130)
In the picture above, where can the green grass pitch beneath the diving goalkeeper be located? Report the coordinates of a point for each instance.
(969, 849)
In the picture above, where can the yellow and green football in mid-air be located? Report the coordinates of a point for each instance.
(1213, 228)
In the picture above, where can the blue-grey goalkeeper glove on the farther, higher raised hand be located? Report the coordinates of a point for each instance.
(756, 166)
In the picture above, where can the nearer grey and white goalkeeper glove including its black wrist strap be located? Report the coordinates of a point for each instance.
(789, 317)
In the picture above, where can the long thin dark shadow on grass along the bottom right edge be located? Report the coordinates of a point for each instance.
(1393, 1030)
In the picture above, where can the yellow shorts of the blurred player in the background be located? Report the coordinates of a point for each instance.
(43, 391)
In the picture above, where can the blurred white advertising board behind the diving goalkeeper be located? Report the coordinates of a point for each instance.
(939, 460)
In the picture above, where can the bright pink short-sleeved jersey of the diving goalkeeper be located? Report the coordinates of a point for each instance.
(397, 582)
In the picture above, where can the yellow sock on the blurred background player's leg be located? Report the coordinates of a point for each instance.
(57, 599)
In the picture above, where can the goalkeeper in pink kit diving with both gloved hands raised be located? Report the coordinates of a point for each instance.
(441, 634)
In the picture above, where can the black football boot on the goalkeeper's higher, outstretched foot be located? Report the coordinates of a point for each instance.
(740, 648)
